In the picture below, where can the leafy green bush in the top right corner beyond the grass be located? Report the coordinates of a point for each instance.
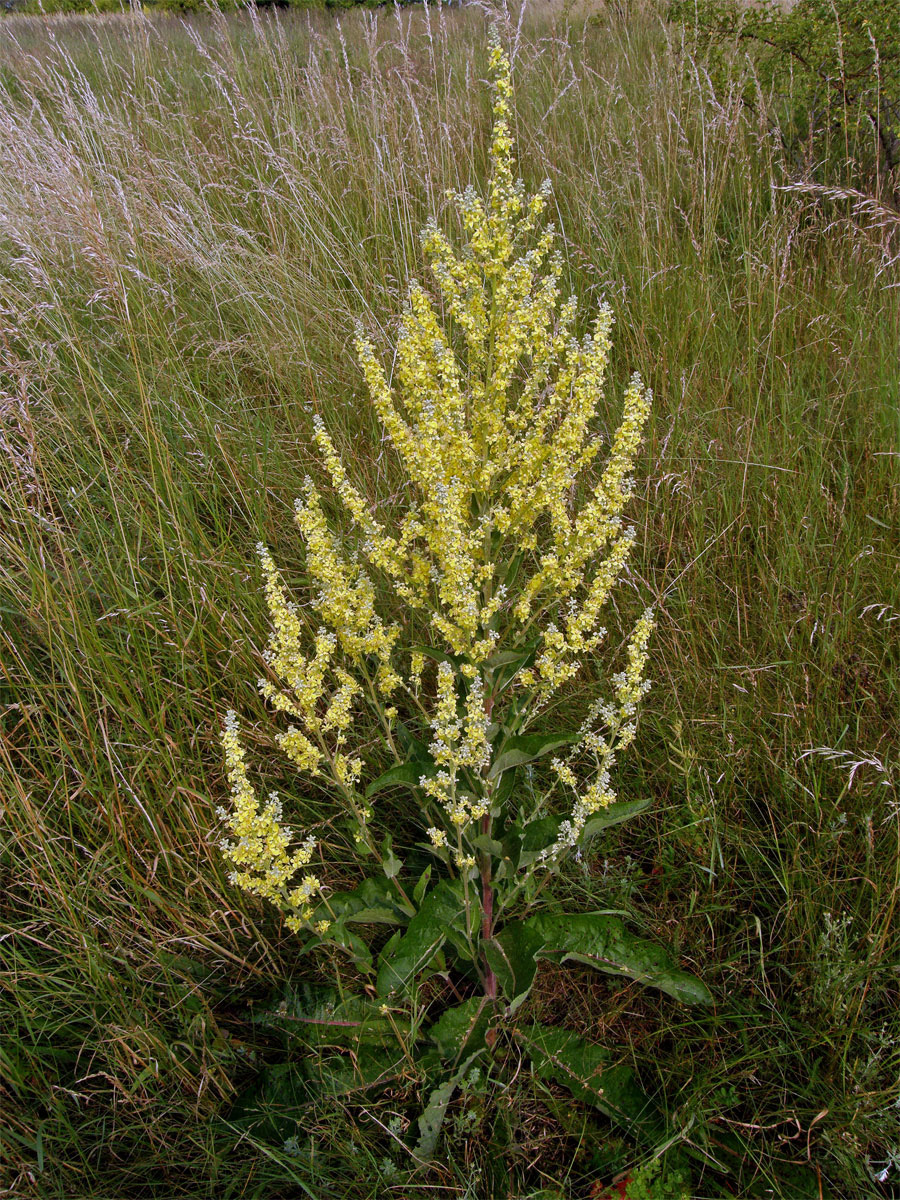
(836, 67)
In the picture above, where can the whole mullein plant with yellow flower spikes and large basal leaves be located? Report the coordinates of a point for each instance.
(512, 543)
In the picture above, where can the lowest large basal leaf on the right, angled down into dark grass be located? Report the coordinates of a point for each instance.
(585, 1070)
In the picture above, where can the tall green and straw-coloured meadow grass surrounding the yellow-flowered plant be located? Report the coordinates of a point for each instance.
(193, 217)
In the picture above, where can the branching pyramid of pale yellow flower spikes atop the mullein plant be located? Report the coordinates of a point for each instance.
(491, 412)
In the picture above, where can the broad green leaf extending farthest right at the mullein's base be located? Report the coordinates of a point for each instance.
(602, 941)
